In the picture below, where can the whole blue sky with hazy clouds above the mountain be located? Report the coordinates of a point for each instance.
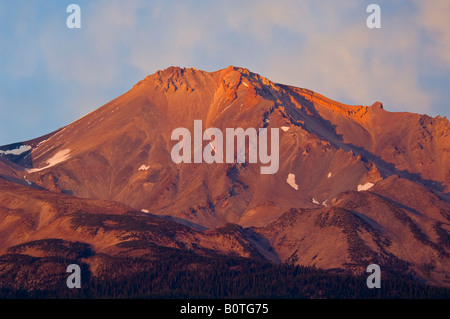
(51, 75)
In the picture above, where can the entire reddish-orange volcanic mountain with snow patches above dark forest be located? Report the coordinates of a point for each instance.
(356, 184)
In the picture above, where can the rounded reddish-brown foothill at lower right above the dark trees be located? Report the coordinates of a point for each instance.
(402, 235)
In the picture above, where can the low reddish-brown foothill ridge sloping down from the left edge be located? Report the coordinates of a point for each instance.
(35, 216)
